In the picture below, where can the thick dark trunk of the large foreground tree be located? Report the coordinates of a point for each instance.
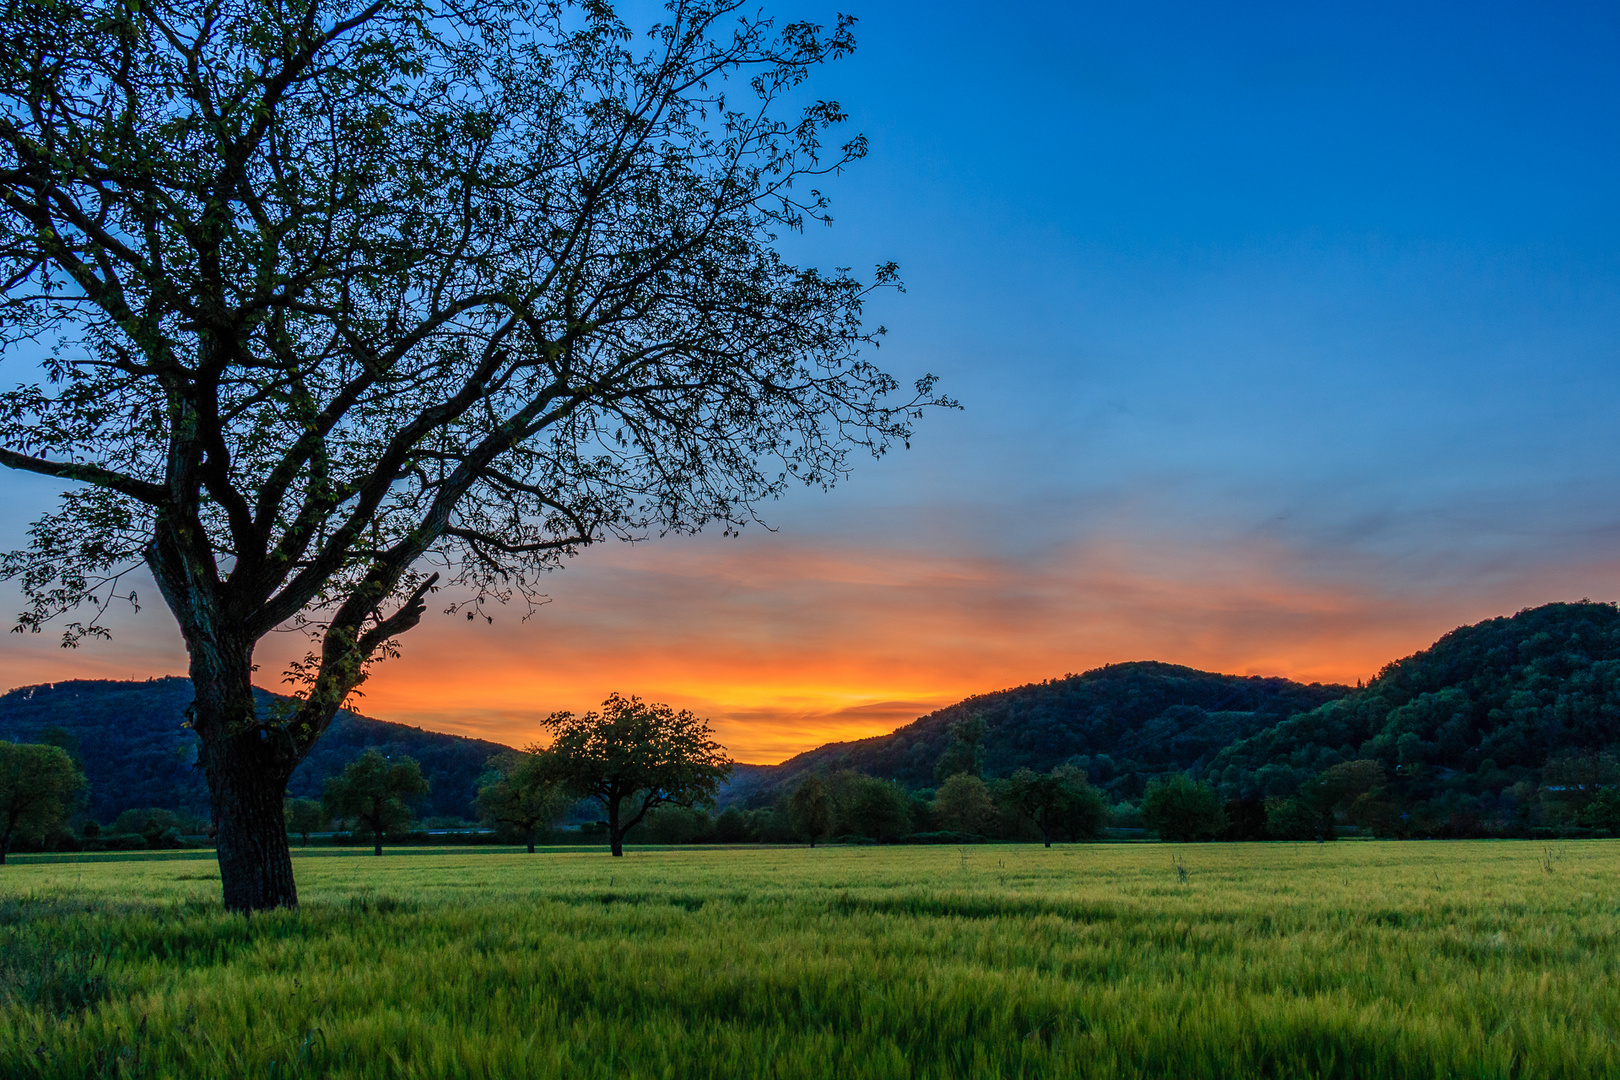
(249, 765)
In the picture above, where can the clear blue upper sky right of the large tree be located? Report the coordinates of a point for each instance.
(1339, 273)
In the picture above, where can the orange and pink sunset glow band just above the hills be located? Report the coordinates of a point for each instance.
(788, 645)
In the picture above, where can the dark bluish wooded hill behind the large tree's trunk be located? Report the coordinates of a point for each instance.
(137, 750)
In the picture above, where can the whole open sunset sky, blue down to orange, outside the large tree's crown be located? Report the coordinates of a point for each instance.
(1287, 338)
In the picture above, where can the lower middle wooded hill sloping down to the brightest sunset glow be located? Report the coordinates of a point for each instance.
(1123, 725)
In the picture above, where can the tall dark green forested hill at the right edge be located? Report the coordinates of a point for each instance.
(1480, 712)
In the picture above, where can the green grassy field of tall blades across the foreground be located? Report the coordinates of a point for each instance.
(1357, 959)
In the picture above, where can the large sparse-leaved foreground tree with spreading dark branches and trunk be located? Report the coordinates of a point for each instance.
(336, 300)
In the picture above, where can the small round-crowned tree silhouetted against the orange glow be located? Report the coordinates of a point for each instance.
(633, 757)
